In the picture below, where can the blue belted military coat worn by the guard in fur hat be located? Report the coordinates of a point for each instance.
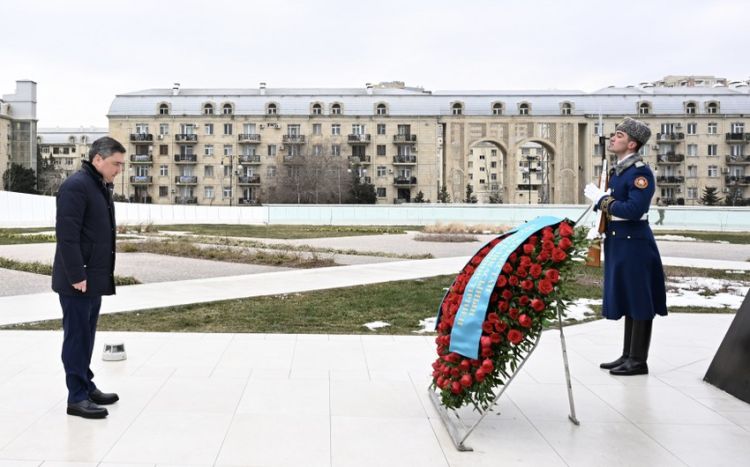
(633, 273)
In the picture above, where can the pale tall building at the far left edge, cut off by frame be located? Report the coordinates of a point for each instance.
(18, 127)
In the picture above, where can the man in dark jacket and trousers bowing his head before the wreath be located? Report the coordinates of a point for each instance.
(83, 269)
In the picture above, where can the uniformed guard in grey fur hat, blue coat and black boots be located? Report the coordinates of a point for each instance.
(633, 273)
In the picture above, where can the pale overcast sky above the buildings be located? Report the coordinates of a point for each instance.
(82, 53)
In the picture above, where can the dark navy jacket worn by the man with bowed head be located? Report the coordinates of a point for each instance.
(85, 228)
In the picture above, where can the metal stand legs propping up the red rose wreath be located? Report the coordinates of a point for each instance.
(460, 431)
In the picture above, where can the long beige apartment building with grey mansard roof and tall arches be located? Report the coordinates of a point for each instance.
(240, 146)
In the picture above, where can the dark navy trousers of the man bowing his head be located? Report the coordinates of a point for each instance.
(80, 315)
